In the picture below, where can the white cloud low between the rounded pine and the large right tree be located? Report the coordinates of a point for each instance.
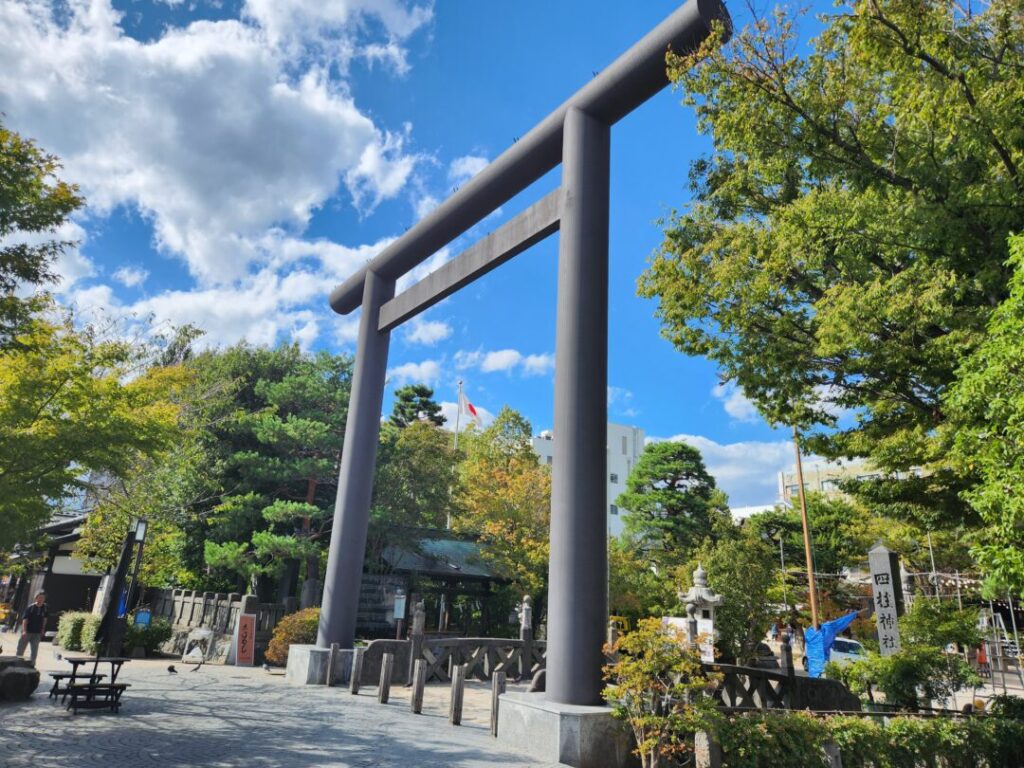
(748, 472)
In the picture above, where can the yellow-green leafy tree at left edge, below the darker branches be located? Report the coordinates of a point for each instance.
(74, 410)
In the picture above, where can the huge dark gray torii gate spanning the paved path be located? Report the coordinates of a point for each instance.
(578, 136)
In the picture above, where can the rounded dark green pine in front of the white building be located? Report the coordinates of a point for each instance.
(672, 502)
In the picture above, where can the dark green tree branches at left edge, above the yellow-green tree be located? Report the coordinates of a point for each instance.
(33, 203)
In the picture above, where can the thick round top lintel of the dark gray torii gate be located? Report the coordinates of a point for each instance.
(628, 82)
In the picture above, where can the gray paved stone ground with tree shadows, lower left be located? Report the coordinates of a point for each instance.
(230, 716)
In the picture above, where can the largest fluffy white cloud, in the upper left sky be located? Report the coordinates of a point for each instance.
(218, 133)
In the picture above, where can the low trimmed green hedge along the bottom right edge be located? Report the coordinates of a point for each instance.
(797, 740)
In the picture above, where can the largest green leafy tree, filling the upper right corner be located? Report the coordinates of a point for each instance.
(846, 244)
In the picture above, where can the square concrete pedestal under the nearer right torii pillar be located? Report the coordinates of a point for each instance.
(580, 737)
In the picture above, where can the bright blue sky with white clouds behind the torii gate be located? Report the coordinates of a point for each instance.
(242, 158)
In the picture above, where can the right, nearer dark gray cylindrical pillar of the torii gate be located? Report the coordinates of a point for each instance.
(578, 582)
